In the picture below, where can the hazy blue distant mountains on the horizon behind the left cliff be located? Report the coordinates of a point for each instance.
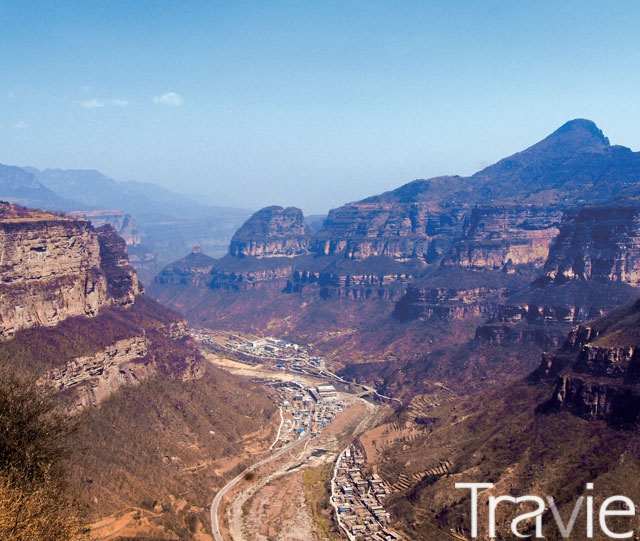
(168, 225)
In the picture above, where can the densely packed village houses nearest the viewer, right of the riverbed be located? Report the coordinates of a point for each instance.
(358, 499)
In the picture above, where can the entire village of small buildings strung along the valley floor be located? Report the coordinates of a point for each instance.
(357, 499)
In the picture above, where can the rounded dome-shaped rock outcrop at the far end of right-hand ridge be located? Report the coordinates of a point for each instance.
(272, 232)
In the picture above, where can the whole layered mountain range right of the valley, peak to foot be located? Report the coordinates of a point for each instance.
(502, 308)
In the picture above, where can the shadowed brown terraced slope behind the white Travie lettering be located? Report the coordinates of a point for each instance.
(572, 422)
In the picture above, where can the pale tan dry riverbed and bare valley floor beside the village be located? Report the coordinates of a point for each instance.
(288, 498)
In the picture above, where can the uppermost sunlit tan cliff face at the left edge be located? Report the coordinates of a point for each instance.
(53, 268)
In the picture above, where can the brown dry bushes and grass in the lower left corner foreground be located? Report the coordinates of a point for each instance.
(34, 502)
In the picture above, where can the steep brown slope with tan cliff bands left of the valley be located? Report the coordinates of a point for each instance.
(158, 428)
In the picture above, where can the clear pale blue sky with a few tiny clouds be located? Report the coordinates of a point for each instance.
(306, 103)
